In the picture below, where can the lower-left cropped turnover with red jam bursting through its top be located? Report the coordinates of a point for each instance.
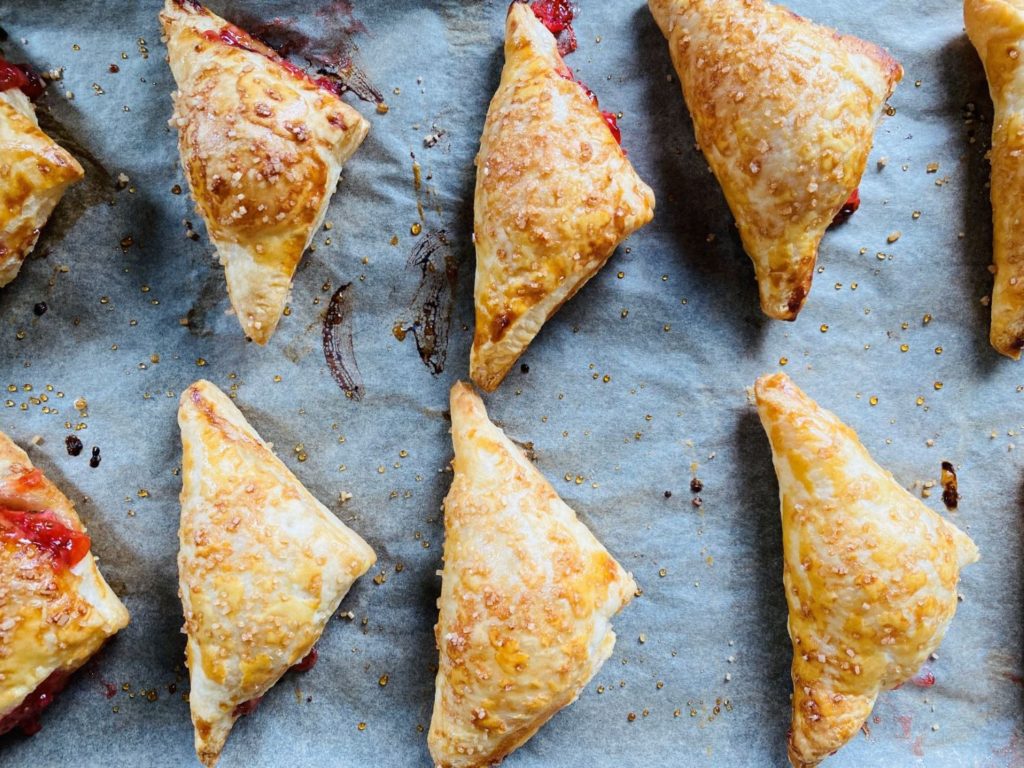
(56, 609)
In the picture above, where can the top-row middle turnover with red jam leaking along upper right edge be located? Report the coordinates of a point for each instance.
(556, 196)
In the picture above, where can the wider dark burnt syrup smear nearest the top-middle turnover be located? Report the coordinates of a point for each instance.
(432, 307)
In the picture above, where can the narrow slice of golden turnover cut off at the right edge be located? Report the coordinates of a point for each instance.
(997, 29)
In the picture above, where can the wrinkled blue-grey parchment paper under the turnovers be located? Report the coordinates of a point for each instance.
(703, 656)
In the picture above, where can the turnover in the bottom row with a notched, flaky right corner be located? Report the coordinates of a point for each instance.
(527, 598)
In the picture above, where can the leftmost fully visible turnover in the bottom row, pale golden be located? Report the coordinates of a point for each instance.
(263, 565)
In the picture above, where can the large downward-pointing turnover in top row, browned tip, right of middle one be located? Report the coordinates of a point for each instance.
(786, 113)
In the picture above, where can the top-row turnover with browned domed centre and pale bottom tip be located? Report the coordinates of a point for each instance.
(263, 145)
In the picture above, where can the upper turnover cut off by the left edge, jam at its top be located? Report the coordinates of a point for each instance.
(35, 172)
